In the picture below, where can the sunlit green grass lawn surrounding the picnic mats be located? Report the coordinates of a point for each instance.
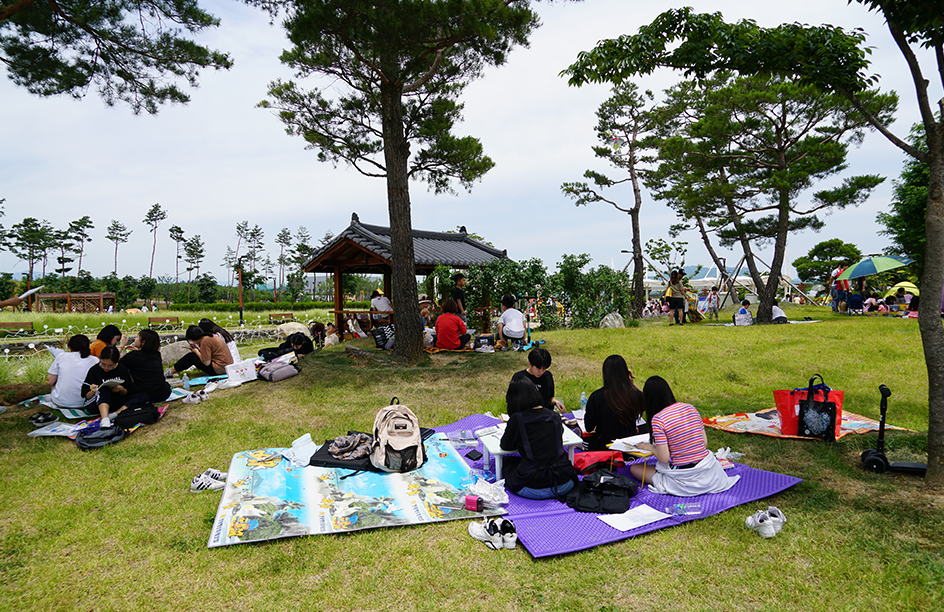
(118, 529)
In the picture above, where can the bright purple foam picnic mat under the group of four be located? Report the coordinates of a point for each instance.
(549, 527)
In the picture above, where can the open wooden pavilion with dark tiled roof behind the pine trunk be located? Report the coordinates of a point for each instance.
(365, 249)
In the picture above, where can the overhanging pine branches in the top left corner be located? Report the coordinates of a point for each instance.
(131, 52)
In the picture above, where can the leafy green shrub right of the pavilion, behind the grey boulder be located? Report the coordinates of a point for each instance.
(589, 296)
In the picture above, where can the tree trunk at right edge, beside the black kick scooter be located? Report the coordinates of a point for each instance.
(929, 309)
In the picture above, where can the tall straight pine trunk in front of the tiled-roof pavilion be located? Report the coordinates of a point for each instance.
(409, 342)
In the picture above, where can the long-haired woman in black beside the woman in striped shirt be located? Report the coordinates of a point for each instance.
(613, 412)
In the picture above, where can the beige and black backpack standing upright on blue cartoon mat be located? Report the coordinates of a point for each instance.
(398, 443)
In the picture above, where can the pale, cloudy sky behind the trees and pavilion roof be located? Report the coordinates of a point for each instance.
(220, 160)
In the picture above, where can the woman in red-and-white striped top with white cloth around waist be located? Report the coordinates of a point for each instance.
(685, 467)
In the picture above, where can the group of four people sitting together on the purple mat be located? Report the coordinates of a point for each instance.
(684, 465)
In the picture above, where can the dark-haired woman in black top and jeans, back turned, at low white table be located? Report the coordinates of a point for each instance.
(543, 471)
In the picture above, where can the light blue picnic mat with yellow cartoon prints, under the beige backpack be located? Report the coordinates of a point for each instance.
(266, 498)
